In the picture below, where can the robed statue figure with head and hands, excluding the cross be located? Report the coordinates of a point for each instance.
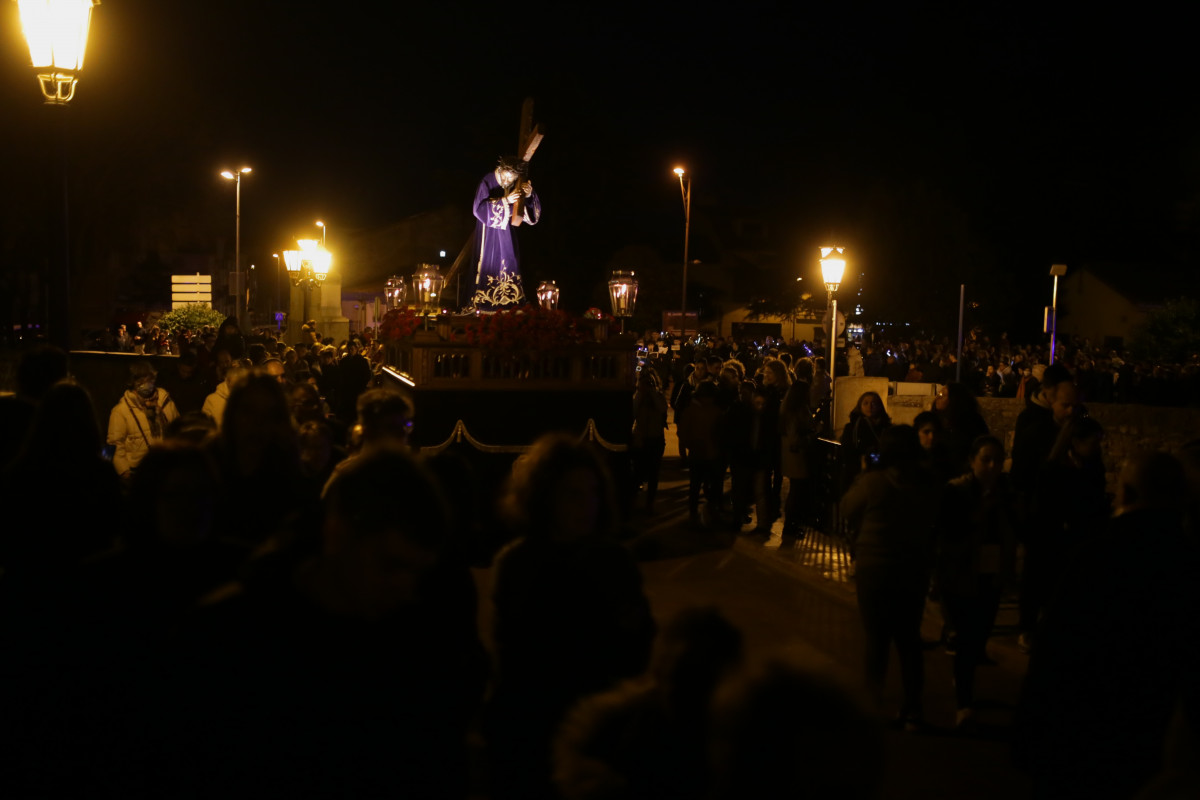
(503, 202)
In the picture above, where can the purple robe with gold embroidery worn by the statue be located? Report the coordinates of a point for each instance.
(497, 267)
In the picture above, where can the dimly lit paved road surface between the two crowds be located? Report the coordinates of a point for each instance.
(801, 604)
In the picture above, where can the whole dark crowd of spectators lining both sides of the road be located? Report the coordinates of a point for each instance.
(259, 590)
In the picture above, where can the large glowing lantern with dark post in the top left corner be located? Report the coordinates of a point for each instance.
(57, 34)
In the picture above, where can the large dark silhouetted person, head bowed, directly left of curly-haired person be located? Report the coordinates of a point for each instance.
(350, 671)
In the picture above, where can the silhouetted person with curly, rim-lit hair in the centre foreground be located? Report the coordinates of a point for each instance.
(571, 616)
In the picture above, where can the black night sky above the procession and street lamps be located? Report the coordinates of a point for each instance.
(975, 146)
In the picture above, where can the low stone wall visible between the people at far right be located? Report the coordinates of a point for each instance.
(1127, 429)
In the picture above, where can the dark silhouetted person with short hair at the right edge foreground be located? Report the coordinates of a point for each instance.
(1117, 653)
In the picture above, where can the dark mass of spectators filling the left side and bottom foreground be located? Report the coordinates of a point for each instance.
(224, 615)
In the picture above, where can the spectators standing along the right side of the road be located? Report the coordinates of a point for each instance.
(932, 514)
